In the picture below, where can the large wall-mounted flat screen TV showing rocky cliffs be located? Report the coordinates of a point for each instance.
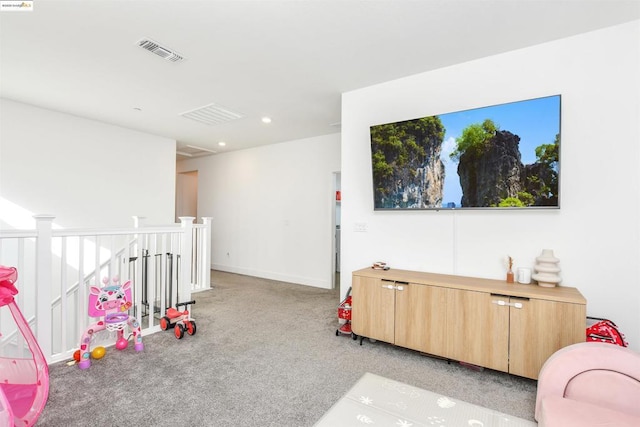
(504, 156)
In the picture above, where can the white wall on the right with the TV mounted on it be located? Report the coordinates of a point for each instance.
(595, 233)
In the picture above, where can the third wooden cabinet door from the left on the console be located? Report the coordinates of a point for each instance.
(478, 327)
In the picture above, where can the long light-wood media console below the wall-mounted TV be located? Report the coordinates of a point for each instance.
(512, 328)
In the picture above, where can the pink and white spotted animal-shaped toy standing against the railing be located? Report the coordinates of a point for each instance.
(112, 302)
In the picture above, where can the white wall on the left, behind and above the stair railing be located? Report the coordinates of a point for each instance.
(86, 173)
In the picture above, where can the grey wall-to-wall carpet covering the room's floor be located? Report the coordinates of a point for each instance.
(265, 354)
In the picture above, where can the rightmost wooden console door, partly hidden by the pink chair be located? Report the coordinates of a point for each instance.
(538, 329)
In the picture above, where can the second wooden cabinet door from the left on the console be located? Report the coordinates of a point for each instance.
(420, 323)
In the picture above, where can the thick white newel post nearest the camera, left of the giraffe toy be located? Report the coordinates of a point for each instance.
(44, 281)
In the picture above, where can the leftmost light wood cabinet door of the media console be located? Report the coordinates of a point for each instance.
(373, 308)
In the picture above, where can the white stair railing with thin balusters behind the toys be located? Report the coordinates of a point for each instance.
(56, 267)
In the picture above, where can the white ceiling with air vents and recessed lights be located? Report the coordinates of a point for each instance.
(288, 60)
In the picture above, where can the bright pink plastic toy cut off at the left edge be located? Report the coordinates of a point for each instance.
(24, 382)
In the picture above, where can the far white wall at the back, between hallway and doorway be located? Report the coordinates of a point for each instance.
(272, 209)
